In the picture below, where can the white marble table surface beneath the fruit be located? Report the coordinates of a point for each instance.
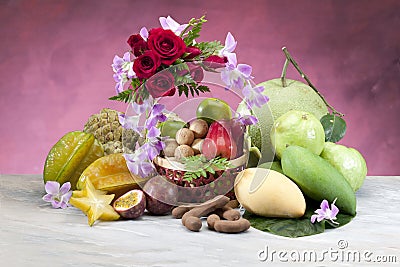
(34, 234)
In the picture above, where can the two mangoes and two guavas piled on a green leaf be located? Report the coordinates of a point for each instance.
(306, 170)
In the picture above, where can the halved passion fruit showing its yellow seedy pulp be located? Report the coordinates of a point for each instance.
(131, 205)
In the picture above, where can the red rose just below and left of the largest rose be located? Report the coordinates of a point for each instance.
(146, 65)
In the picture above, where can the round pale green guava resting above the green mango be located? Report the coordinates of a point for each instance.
(298, 128)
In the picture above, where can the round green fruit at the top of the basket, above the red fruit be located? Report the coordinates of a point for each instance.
(213, 109)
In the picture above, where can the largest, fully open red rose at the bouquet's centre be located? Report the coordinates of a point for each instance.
(166, 44)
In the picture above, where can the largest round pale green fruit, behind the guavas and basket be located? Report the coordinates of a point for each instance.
(295, 96)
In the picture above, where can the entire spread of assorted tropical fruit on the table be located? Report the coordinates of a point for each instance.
(294, 162)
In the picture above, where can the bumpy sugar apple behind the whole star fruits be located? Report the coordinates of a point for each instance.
(106, 128)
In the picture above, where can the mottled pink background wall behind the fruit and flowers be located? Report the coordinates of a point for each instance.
(55, 61)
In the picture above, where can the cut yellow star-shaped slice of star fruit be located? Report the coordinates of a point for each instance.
(94, 203)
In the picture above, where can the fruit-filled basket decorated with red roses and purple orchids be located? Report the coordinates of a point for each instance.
(207, 148)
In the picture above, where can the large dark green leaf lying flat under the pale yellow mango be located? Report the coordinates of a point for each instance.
(295, 227)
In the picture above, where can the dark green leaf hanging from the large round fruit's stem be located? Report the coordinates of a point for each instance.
(334, 127)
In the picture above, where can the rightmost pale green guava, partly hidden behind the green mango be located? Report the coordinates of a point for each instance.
(348, 161)
